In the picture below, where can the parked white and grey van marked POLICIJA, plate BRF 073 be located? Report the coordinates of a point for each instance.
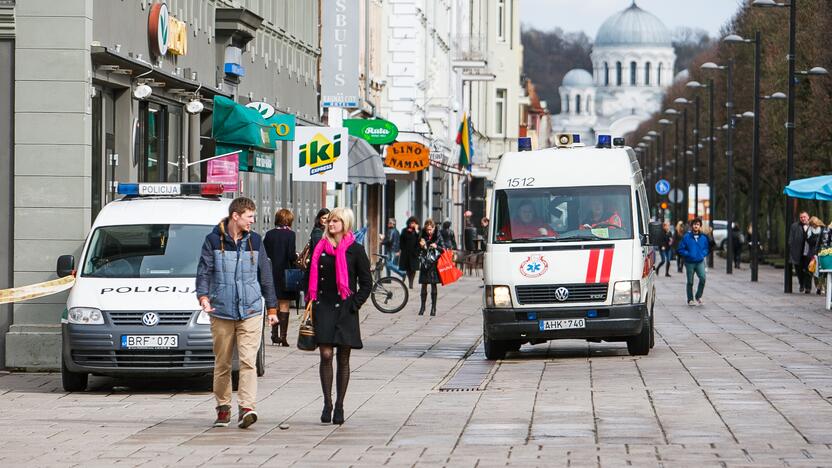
(133, 308)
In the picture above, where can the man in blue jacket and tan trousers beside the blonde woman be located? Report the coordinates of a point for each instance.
(233, 278)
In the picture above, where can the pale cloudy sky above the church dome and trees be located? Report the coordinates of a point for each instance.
(587, 15)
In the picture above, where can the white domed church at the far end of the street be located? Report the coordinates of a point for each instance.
(632, 65)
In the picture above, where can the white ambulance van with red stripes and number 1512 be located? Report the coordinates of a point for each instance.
(569, 252)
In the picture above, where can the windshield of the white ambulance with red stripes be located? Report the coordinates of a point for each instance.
(563, 214)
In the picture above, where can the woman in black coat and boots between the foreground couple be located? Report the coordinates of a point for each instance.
(280, 247)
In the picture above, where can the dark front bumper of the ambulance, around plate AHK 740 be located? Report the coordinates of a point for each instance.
(603, 322)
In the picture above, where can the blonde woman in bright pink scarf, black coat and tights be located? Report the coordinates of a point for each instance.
(339, 284)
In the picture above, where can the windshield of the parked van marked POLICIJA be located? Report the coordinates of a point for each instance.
(145, 251)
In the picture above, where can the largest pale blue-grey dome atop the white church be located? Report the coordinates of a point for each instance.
(633, 27)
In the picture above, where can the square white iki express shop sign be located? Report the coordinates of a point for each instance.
(320, 154)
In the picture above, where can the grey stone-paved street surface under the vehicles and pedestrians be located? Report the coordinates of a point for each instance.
(742, 381)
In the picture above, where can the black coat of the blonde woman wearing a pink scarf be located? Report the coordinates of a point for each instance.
(336, 319)
